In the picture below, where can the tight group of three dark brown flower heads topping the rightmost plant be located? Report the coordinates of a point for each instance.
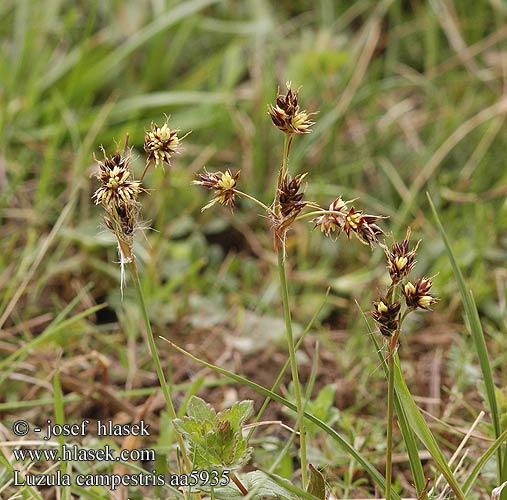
(387, 311)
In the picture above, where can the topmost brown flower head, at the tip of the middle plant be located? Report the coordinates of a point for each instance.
(287, 116)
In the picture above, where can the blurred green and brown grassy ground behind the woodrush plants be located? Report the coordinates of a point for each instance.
(411, 100)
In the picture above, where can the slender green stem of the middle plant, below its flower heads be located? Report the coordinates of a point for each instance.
(293, 364)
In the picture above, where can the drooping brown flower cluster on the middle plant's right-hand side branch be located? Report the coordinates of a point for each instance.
(339, 218)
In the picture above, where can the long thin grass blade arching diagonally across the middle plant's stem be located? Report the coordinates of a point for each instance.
(344, 444)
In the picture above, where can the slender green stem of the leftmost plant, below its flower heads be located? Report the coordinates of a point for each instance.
(156, 361)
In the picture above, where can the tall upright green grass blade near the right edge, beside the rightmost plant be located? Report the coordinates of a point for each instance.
(477, 333)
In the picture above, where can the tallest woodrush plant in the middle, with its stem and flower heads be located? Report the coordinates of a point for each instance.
(286, 209)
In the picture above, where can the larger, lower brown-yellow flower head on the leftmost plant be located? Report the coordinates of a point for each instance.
(116, 186)
